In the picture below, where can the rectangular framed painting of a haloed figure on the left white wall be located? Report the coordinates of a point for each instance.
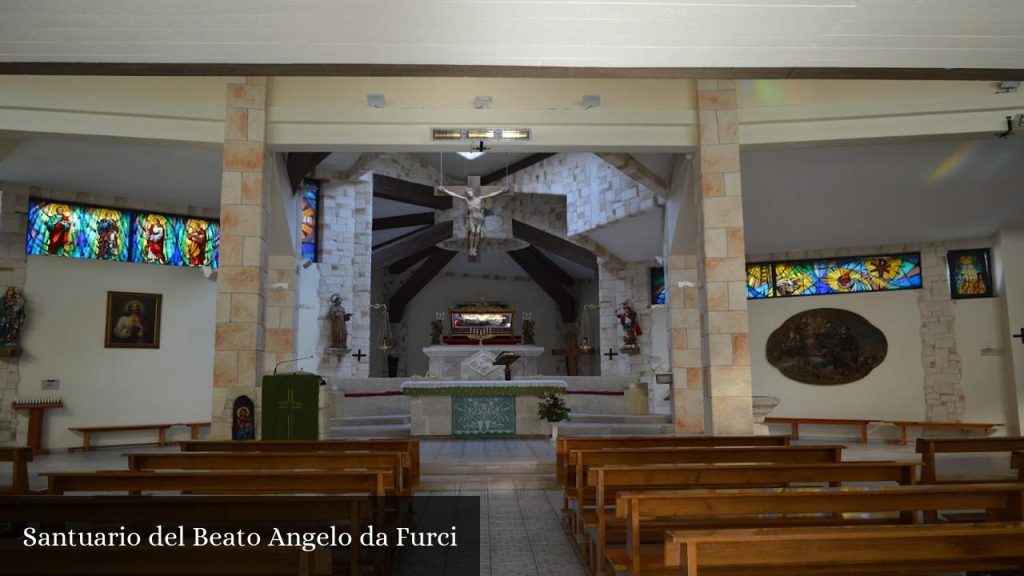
(133, 320)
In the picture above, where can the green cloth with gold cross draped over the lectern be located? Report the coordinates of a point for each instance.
(291, 404)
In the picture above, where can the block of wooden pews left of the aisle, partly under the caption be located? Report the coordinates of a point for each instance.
(263, 485)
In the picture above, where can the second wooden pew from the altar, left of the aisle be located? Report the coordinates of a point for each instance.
(271, 462)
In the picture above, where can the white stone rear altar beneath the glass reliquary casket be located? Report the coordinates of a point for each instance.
(477, 362)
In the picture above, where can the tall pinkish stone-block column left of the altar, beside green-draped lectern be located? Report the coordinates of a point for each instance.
(242, 282)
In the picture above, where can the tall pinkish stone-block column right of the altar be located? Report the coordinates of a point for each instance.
(722, 265)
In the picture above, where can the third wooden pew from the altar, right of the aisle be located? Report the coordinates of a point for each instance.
(608, 482)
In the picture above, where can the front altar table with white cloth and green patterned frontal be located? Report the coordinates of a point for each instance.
(481, 408)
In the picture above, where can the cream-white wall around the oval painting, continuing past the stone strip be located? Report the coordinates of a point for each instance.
(895, 389)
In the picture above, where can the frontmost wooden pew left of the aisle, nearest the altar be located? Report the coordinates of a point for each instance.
(411, 447)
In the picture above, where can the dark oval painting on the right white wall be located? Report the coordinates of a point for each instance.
(827, 347)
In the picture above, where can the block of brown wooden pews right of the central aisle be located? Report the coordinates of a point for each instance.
(684, 506)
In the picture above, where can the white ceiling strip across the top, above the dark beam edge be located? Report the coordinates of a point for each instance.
(567, 33)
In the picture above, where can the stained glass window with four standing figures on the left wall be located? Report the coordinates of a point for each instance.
(108, 234)
